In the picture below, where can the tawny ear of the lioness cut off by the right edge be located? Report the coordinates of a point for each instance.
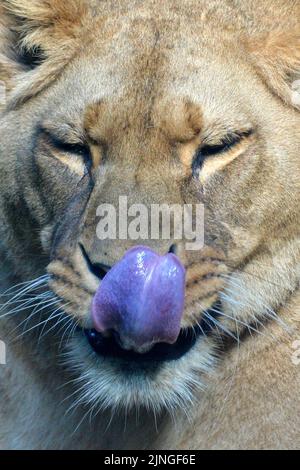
(276, 57)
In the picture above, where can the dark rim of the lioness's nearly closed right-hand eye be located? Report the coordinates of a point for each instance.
(226, 144)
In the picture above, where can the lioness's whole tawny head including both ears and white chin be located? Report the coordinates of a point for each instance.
(165, 103)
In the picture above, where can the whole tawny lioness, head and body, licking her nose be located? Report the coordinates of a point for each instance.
(164, 102)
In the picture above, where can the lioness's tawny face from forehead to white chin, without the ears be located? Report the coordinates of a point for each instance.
(162, 114)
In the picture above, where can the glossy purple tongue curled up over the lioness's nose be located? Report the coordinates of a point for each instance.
(142, 299)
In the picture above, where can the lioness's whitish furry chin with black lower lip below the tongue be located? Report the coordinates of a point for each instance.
(160, 380)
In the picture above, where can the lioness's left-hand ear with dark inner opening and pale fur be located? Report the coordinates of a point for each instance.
(38, 34)
